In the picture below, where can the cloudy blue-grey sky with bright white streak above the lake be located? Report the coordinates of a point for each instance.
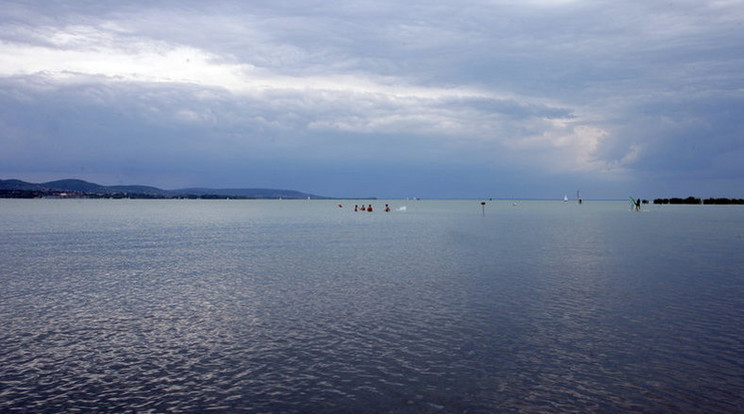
(390, 99)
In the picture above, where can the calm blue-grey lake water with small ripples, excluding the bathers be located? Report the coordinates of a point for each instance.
(305, 307)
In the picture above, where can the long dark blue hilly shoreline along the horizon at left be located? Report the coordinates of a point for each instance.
(78, 188)
